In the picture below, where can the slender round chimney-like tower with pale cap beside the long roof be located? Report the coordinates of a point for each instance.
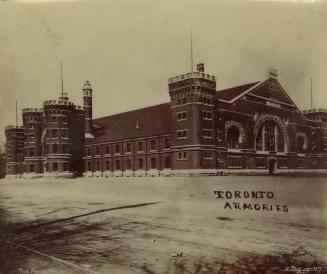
(87, 99)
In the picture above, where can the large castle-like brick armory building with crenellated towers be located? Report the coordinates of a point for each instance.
(252, 128)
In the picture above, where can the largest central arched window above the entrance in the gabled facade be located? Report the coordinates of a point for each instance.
(270, 137)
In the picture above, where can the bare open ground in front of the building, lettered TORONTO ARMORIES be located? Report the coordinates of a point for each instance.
(164, 225)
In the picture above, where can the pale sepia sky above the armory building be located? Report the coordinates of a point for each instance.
(128, 49)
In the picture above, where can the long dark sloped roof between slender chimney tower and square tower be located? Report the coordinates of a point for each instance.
(152, 121)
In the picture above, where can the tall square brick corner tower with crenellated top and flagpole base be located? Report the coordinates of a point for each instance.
(193, 111)
